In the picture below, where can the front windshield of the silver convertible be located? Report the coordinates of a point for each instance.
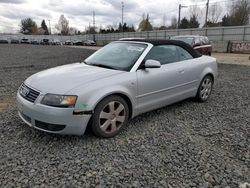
(117, 55)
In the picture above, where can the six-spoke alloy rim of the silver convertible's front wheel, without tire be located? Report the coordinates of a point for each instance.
(112, 117)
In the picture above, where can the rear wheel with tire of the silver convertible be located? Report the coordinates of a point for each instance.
(205, 89)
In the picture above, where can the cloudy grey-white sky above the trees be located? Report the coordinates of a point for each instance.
(79, 12)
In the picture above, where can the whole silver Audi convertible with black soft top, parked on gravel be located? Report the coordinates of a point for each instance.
(116, 83)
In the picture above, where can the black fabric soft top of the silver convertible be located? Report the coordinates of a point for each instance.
(182, 44)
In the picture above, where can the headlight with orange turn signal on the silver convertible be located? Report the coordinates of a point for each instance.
(64, 101)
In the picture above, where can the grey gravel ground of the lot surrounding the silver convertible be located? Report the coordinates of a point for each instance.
(187, 144)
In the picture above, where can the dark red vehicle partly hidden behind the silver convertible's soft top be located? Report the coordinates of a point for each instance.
(199, 43)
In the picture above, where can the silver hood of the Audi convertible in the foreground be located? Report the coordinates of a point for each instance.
(60, 80)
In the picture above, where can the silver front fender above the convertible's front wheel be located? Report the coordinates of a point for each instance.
(91, 94)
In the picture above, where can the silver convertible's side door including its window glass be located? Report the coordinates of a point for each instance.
(158, 87)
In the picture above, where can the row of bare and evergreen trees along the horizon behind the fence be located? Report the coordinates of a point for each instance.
(238, 15)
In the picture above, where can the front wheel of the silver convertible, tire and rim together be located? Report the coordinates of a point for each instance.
(110, 116)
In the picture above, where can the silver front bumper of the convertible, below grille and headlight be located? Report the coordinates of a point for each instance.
(51, 119)
